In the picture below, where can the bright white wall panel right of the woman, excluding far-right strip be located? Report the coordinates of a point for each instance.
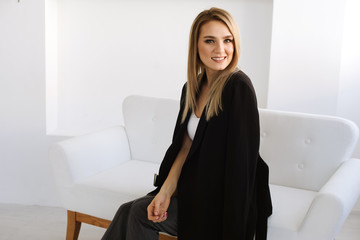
(305, 55)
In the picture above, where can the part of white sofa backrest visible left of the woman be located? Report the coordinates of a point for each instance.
(149, 124)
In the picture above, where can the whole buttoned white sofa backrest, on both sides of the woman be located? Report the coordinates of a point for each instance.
(302, 150)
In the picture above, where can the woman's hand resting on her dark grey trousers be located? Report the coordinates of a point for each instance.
(157, 210)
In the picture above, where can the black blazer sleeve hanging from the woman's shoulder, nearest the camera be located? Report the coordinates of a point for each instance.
(241, 160)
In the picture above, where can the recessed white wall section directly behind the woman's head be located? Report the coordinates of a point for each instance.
(108, 50)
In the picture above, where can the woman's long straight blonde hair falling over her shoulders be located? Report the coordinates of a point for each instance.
(196, 68)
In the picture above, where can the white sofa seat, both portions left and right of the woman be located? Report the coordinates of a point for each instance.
(101, 195)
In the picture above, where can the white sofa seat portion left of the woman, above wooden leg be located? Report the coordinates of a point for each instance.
(101, 194)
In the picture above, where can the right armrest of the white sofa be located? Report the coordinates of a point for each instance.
(334, 202)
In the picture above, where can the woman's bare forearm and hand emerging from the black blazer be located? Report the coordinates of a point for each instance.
(158, 207)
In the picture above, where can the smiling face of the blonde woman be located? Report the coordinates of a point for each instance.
(215, 46)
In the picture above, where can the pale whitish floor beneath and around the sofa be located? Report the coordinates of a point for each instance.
(18, 222)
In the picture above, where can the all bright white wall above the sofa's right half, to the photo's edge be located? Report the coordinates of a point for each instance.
(313, 68)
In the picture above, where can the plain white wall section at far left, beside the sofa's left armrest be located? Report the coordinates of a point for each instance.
(25, 173)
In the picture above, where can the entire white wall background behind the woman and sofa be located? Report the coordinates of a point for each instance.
(66, 70)
